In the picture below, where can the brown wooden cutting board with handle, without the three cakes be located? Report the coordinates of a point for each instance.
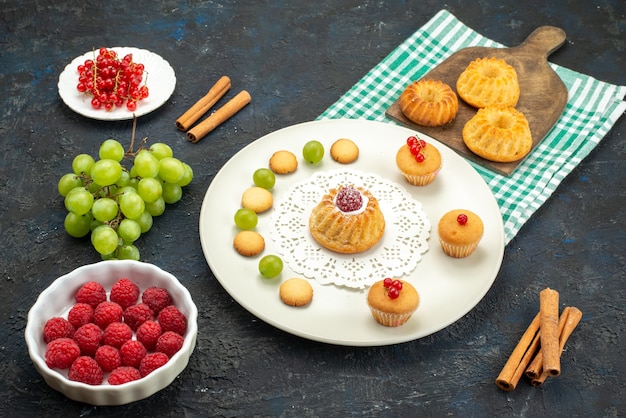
(543, 94)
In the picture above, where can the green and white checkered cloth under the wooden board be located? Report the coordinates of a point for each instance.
(592, 109)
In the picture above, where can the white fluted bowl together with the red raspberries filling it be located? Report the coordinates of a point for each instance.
(112, 332)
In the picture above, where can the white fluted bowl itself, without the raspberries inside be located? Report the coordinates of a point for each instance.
(57, 300)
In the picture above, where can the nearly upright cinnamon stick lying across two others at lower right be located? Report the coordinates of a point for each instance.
(549, 312)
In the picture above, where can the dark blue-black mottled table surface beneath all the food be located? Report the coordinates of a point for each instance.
(296, 59)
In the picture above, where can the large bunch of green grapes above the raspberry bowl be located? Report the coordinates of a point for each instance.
(116, 203)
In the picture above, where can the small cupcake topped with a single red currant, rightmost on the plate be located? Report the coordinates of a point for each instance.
(460, 231)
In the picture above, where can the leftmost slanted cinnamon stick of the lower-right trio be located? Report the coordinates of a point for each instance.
(520, 357)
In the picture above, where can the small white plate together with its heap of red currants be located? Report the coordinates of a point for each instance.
(116, 83)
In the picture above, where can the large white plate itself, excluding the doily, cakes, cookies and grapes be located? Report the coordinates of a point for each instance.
(449, 288)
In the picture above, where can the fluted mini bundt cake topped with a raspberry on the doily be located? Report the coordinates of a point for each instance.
(347, 220)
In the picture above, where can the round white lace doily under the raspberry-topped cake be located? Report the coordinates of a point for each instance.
(407, 229)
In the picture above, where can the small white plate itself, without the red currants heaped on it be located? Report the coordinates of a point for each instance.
(161, 82)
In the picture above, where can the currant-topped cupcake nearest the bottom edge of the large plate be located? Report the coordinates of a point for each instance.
(392, 301)
